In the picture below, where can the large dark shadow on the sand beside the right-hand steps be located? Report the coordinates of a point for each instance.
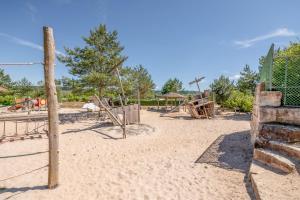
(231, 152)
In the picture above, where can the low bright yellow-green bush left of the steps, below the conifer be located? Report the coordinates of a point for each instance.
(239, 100)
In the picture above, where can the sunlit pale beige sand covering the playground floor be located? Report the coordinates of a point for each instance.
(156, 161)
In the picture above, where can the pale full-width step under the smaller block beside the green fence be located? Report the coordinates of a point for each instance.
(285, 115)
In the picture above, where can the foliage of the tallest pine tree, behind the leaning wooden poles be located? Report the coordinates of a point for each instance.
(94, 63)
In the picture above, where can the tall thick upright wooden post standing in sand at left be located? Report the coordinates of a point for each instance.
(53, 120)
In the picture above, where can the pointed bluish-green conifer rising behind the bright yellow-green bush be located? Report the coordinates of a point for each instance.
(247, 81)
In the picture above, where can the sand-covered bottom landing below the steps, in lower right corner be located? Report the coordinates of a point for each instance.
(269, 185)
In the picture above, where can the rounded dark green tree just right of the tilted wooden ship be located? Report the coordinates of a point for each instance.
(222, 87)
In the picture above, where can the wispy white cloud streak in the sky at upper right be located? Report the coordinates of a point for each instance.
(282, 32)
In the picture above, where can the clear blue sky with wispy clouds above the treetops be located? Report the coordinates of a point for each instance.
(171, 38)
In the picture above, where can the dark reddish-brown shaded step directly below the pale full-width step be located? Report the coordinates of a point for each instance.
(275, 131)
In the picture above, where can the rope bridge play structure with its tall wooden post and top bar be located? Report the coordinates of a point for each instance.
(43, 124)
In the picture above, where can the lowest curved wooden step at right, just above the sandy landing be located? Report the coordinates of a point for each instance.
(274, 160)
